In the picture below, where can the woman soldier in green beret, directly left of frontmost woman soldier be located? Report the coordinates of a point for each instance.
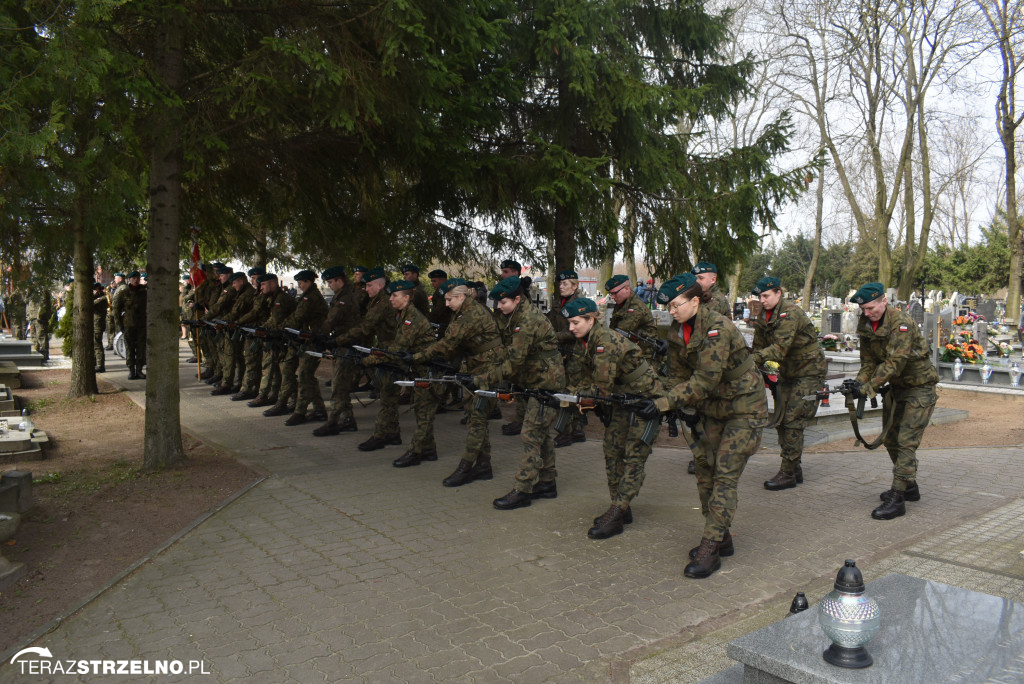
(612, 365)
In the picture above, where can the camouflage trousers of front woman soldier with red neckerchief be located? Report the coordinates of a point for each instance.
(727, 445)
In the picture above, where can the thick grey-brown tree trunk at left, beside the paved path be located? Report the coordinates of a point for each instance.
(163, 423)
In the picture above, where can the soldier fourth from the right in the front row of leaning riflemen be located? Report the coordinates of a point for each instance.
(473, 335)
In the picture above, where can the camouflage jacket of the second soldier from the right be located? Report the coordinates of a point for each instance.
(790, 340)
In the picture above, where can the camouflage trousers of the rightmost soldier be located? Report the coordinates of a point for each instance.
(913, 414)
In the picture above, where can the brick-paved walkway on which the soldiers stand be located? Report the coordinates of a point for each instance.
(342, 568)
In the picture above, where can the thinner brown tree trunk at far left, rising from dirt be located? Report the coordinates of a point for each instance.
(83, 367)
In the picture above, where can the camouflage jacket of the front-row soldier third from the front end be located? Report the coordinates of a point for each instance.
(533, 360)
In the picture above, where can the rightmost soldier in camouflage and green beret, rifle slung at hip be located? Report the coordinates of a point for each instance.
(894, 352)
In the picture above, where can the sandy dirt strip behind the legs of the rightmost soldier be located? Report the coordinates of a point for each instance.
(995, 421)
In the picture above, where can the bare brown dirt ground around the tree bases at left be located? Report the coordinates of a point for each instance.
(96, 514)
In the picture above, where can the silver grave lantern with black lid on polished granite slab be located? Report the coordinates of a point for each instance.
(849, 619)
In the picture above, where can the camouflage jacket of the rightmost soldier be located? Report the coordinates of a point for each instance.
(897, 354)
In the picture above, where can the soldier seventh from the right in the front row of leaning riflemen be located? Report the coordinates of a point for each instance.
(343, 326)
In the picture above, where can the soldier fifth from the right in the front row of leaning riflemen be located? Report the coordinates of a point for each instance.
(414, 334)
